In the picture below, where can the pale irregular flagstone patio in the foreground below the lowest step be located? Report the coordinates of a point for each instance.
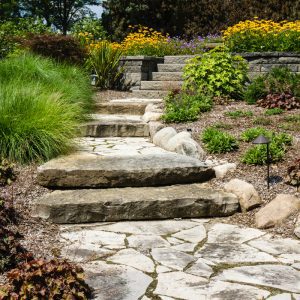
(183, 259)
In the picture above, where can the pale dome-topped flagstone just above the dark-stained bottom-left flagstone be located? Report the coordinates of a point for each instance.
(132, 258)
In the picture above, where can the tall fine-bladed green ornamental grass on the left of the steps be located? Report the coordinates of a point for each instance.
(41, 105)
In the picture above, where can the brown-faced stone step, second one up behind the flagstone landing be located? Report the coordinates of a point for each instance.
(120, 108)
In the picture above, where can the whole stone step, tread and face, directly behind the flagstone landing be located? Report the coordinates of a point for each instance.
(115, 126)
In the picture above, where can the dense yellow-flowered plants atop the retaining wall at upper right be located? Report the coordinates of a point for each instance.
(263, 35)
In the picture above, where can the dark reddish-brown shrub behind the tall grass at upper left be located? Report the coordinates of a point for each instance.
(60, 47)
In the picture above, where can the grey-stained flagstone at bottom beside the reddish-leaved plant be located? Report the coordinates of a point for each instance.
(115, 281)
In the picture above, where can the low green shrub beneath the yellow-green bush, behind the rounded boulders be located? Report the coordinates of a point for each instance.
(185, 107)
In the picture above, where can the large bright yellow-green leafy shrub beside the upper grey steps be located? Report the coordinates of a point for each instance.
(216, 73)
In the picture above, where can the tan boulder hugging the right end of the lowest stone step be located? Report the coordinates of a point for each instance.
(246, 193)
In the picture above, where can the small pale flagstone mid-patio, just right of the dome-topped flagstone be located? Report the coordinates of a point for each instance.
(171, 258)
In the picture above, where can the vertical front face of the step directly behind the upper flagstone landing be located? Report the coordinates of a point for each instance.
(115, 130)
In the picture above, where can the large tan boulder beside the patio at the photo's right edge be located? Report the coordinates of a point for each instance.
(277, 210)
